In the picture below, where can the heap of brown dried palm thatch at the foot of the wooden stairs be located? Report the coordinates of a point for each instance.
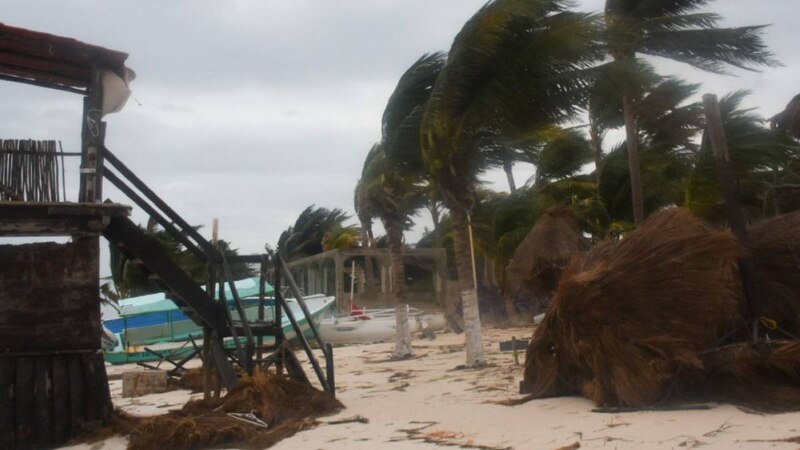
(285, 405)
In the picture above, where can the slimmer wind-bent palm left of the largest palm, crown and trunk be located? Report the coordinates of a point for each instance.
(394, 176)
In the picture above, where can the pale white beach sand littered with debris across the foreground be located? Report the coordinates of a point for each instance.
(407, 401)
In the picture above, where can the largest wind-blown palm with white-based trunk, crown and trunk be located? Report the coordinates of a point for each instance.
(511, 69)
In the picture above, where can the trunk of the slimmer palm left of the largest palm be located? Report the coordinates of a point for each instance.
(394, 234)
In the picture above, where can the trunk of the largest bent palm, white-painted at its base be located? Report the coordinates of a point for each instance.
(466, 285)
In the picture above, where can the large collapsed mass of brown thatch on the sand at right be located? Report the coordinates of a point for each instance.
(633, 322)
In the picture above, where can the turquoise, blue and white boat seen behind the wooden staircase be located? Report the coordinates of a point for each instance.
(173, 338)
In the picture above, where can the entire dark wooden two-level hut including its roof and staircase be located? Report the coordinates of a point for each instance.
(53, 383)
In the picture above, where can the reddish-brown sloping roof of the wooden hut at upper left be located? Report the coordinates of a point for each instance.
(56, 62)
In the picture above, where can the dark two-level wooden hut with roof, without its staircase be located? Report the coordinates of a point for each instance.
(53, 382)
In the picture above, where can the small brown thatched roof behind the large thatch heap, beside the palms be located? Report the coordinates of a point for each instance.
(544, 253)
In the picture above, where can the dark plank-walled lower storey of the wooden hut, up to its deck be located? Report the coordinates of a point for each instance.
(52, 375)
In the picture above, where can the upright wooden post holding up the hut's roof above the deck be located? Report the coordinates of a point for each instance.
(93, 131)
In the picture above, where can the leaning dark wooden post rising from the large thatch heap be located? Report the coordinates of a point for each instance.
(733, 209)
